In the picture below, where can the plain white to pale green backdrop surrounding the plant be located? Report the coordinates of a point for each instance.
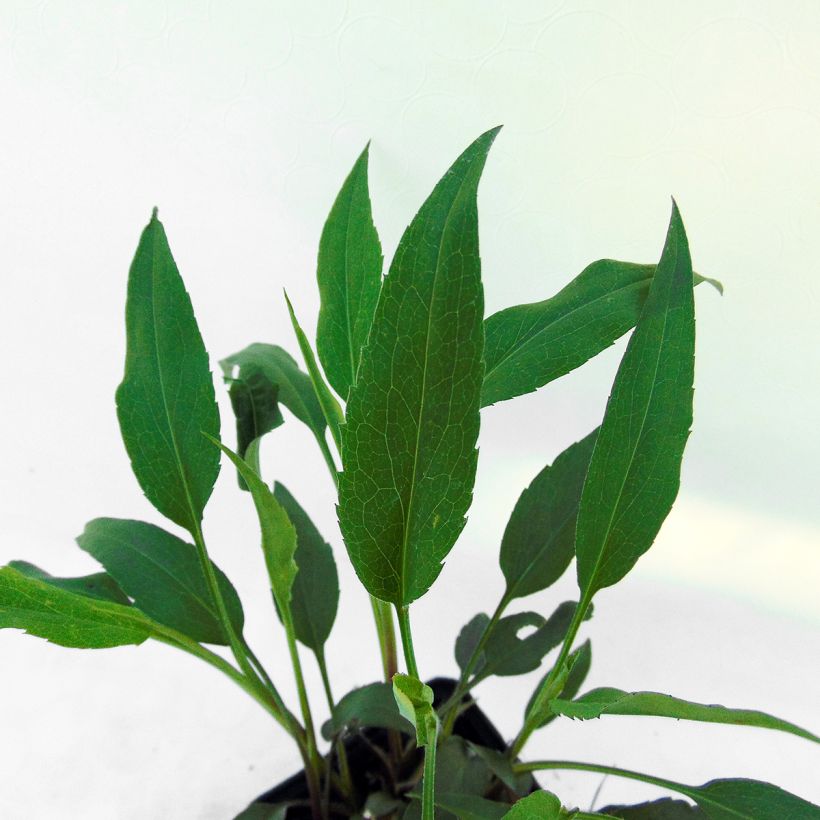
(240, 120)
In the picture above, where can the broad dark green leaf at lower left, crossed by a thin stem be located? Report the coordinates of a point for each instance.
(163, 575)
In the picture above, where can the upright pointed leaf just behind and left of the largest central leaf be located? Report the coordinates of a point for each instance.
(349, 273)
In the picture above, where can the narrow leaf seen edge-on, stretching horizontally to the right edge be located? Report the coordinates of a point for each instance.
(608, 701)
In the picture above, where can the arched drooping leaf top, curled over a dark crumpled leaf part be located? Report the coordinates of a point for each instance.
(294, 385)
